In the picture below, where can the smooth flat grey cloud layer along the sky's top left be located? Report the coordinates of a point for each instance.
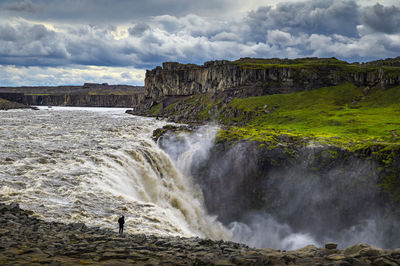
(106, 11)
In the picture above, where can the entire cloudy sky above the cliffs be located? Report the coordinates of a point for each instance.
(56, 42)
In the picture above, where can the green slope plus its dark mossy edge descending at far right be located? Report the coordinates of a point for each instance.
(362, 121)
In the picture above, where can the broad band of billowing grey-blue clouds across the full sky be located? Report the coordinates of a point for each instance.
(314, 28)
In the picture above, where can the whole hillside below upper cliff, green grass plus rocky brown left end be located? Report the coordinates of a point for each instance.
(343, 115)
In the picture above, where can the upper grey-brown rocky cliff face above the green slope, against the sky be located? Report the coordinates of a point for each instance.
(252, 79)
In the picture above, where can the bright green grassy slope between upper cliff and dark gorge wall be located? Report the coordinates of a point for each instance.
(344, 114)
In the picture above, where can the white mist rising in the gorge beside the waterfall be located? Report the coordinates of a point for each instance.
(269, 199)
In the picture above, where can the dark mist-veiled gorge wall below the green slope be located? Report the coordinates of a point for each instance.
(317, 190)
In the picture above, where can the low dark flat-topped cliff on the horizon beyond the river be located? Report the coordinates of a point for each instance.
(90, 94)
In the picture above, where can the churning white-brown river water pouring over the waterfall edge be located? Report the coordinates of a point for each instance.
(92, 165)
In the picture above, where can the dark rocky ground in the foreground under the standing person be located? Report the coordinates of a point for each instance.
(24, 239)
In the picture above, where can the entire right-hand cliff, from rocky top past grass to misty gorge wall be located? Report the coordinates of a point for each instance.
(305, 141)
